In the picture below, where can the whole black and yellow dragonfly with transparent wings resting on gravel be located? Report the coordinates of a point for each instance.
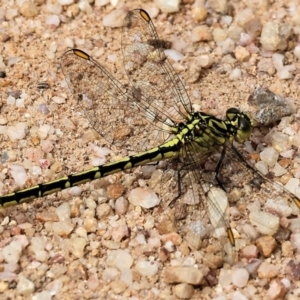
(154, 117)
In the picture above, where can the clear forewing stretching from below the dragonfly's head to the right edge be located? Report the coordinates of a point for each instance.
(260, 200)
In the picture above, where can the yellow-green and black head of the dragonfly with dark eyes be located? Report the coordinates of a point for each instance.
(241, 122)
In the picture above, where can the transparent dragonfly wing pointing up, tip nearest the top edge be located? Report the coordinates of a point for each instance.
(150, 72)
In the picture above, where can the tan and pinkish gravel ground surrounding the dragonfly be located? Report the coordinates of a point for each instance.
(101, 240)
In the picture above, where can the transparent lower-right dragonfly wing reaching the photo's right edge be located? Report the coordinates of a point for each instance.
(237, 175)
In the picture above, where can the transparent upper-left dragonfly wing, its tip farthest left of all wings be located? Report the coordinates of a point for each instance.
(117, 114)
